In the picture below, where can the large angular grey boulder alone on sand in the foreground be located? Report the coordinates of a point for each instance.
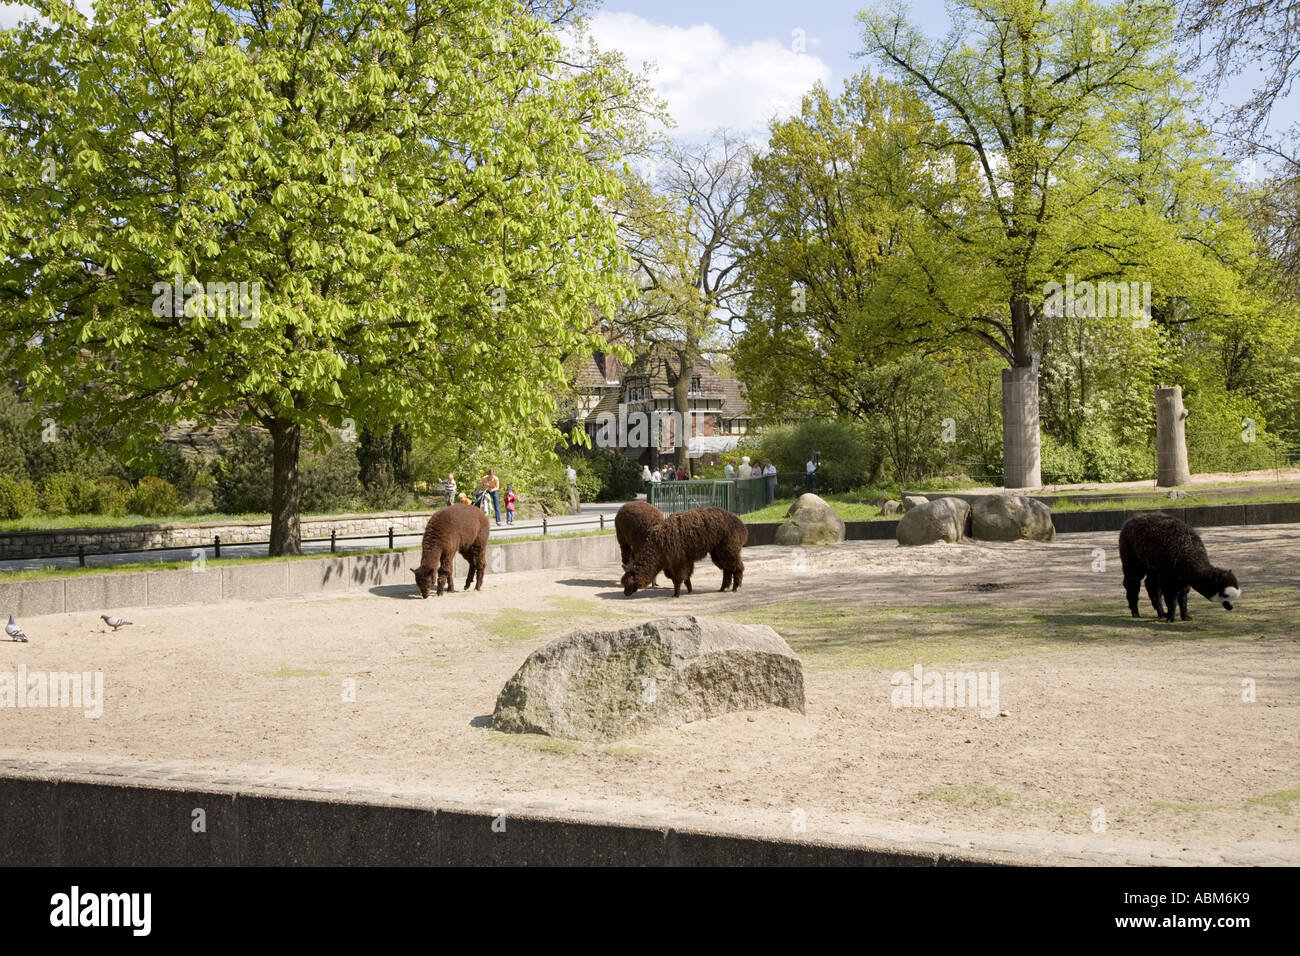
(606, 685)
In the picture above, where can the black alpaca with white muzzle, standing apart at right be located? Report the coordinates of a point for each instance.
(1171, 557)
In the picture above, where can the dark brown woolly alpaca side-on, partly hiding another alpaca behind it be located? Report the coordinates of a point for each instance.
(684, 539)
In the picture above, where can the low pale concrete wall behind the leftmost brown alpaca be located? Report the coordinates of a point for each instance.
(265, 581)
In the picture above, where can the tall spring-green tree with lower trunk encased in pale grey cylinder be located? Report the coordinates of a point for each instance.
(1035, 100)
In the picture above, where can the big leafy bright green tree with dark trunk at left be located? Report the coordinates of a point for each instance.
(376, 211)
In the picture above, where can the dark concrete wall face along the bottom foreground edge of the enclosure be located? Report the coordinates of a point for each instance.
(72, 823)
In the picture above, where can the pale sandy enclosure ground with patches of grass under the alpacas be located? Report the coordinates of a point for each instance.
(1117, 737)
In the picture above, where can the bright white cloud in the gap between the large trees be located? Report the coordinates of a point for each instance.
(709, 83)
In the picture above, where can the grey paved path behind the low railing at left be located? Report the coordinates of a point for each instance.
(588, 521)
